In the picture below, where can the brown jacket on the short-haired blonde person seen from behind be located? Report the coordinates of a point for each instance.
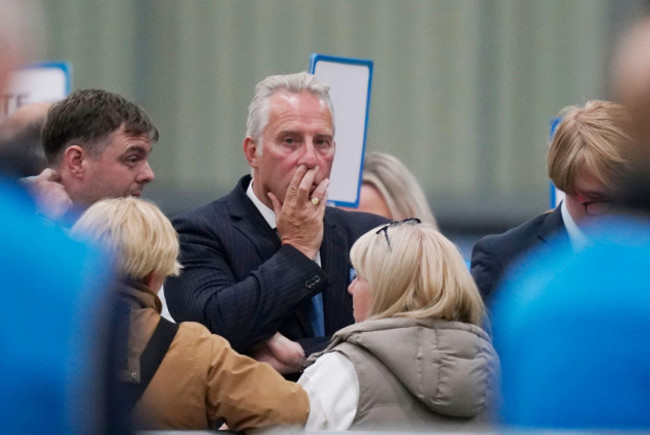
(202, 379)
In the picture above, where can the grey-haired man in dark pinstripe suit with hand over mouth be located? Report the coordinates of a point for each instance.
(270, 256)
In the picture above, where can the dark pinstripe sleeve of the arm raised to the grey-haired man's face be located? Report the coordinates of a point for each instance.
(245, 310)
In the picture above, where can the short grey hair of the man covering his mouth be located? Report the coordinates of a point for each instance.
(258, 110)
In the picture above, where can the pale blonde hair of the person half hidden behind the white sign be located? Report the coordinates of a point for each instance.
(398, 186)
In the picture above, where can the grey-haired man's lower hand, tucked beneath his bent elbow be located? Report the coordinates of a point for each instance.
(282, 354)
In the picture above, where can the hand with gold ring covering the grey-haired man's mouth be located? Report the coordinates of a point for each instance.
(299, 221)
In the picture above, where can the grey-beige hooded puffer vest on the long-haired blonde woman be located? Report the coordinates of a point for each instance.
(420, 374)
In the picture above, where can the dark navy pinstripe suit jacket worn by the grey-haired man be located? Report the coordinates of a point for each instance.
(243, 284)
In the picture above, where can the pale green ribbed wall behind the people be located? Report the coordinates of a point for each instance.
(462, 90)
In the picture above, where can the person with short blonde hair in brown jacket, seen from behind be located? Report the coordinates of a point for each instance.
(201, 379)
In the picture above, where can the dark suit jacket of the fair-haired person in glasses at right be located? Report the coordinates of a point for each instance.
(492, 255)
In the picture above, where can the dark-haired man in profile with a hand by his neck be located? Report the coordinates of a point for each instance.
(97, 145)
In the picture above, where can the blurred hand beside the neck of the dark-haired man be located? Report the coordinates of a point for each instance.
(51, 198)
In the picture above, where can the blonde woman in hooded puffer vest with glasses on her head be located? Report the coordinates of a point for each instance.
(417, 357)
